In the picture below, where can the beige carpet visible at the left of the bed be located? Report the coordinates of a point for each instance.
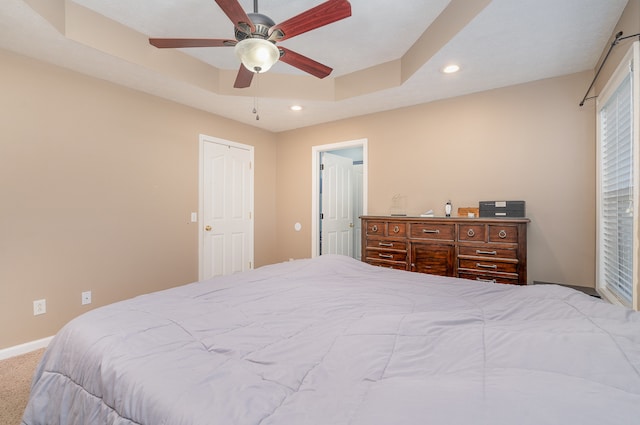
(15, 381)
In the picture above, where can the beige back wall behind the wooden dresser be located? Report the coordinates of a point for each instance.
(528, 142)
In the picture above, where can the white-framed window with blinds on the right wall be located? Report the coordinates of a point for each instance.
(618, 171)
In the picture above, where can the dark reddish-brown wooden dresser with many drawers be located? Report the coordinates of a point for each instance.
(487, 249)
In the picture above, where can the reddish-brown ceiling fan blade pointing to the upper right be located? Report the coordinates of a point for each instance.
(324, 14)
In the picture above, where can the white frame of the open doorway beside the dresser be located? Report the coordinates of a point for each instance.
(315, 184)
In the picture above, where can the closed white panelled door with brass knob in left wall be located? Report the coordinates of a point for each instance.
(226, 208)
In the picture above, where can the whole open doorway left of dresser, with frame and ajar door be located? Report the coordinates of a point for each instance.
(339, 197)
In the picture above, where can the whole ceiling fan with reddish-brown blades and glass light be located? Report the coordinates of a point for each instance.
(256, 36)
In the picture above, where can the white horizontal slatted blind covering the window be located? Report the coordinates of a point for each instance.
(617, 181)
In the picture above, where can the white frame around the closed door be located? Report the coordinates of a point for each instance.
(210, 139)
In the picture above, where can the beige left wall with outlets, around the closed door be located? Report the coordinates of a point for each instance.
(97, 184)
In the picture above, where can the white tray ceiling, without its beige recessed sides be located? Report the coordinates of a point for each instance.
(509, 42)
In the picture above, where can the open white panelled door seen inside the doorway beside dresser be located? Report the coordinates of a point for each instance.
(337, 205)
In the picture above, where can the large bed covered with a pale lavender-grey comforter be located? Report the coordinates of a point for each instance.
(332, 340)
